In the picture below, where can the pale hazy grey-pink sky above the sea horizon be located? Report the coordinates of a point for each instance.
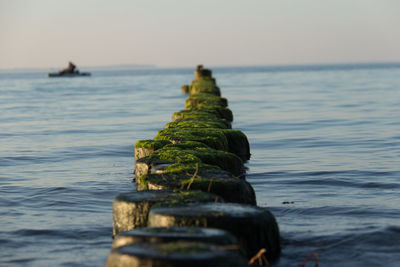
(180, 33)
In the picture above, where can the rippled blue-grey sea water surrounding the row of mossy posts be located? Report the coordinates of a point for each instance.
(325, 144)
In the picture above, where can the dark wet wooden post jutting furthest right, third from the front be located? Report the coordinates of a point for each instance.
(254, 227)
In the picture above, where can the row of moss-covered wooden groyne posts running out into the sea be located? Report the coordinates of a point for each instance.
(193, 205)
